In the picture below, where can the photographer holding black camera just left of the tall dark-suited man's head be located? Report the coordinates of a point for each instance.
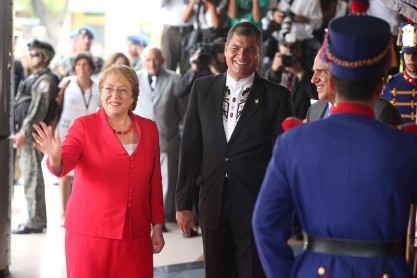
(208, 59)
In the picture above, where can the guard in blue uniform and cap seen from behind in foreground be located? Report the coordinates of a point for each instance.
(350, 178)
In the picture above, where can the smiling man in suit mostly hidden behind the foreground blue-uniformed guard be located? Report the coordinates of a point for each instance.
(384, 111)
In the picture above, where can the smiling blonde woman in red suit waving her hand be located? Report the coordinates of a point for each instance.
(115, 212)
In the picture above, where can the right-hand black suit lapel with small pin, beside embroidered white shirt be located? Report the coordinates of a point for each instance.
(253, 103)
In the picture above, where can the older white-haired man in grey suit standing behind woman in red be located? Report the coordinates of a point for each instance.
(158, 102)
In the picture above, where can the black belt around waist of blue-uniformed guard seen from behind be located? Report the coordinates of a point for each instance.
(356, 248)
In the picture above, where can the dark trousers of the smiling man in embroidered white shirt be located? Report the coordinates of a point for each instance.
(229, 250)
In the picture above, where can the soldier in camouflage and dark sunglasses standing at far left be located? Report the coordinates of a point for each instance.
(37, 90)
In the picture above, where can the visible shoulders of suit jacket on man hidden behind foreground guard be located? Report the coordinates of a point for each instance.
(385, 112)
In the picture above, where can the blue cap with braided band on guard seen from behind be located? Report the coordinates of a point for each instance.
(358, 46)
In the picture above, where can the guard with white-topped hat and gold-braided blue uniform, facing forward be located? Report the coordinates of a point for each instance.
(401, 89)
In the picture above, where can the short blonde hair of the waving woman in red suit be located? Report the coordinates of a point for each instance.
(126, 72)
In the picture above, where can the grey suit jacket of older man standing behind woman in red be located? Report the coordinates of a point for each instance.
(165, 108)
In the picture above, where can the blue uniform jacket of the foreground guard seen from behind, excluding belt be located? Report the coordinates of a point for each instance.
(348, 177)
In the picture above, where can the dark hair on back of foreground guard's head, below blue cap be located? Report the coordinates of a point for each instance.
(360, 90)
